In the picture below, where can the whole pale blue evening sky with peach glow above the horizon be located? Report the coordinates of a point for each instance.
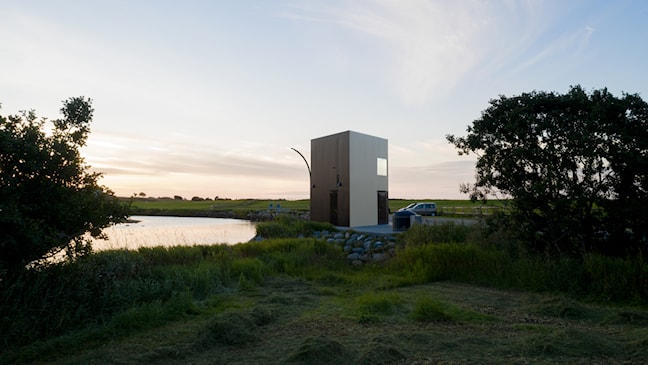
(208, 98)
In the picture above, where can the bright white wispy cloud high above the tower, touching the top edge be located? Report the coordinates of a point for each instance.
(431, 45)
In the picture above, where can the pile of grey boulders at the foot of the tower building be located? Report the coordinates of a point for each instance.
(361, 248)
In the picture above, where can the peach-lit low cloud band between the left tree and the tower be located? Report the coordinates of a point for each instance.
(167, 168)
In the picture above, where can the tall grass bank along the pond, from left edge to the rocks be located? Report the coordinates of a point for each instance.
(95, 290)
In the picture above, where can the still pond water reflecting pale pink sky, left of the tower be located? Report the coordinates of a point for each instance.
(151, 231)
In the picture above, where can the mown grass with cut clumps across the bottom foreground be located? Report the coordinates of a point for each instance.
(295, 321)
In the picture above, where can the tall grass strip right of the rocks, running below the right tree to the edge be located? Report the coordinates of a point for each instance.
(436, 253)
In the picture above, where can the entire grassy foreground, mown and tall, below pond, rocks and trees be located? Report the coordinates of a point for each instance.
(448, 296)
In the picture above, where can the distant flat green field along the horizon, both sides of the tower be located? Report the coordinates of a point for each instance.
(299, 205)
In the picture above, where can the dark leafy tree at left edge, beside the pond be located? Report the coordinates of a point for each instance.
(49, 199)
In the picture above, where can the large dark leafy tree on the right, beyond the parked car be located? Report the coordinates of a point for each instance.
(575, 167)
